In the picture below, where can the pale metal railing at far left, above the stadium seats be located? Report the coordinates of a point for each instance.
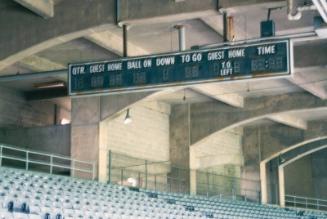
(38, 161)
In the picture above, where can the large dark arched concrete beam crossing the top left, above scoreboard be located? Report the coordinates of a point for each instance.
(19, 39)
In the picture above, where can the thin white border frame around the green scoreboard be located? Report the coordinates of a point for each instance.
(148, 87)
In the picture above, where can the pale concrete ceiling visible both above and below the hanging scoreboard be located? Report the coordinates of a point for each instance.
(158, 37)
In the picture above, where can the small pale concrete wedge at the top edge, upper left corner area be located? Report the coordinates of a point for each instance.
(44, 8)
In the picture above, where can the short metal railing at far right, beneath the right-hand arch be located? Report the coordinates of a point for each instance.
(305, 202)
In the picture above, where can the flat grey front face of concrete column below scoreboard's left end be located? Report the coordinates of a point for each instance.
(85, 131)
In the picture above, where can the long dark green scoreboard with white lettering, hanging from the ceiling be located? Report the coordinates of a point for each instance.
(241, 61)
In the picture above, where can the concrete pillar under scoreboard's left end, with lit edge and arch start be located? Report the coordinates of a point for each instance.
(89, 133)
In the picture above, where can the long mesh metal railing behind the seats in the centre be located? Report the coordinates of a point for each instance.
(162, 176)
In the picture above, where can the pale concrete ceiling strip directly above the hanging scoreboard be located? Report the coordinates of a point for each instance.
(162, 37)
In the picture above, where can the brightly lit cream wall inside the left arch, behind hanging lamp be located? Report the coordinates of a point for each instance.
(146, 138)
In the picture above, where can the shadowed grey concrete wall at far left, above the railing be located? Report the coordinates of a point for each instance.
(49, 139)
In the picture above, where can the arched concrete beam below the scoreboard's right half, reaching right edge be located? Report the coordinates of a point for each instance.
(227, 117)
